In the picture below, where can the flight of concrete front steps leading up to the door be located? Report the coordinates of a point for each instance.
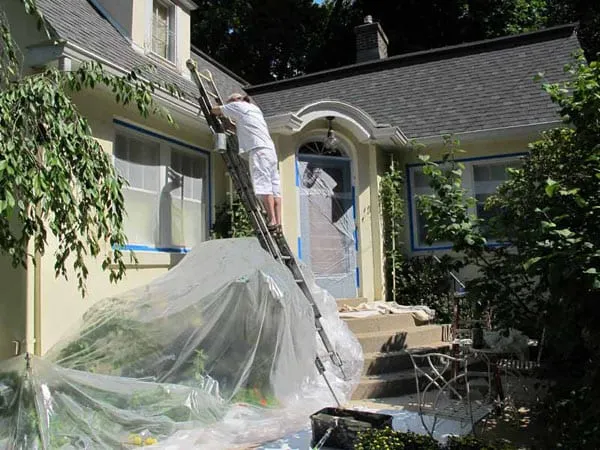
(386, 341)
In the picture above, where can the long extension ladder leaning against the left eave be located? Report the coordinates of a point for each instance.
(274, 243)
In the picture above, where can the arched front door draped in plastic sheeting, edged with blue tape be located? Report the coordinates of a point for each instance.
(327, 217)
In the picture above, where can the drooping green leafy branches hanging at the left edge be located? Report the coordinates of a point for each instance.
(55, 178)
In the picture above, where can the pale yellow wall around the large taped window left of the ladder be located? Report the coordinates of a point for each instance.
(61, 303)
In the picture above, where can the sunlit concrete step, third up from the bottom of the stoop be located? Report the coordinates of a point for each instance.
(384, 341)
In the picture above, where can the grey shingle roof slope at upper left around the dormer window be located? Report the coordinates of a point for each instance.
(79, 22)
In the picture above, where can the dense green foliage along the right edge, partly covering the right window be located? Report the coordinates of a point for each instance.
(549, 277)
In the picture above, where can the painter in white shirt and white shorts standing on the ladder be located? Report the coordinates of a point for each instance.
(254, 139)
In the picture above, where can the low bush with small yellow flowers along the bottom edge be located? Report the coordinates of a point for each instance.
(388, 439)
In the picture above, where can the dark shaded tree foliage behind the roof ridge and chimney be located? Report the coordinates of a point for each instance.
(268, 40)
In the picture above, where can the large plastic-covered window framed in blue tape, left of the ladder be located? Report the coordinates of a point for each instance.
(167, 197)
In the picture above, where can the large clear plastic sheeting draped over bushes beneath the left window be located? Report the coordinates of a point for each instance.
(217, 353)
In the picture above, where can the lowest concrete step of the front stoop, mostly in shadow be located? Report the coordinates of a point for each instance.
(393, 384)
